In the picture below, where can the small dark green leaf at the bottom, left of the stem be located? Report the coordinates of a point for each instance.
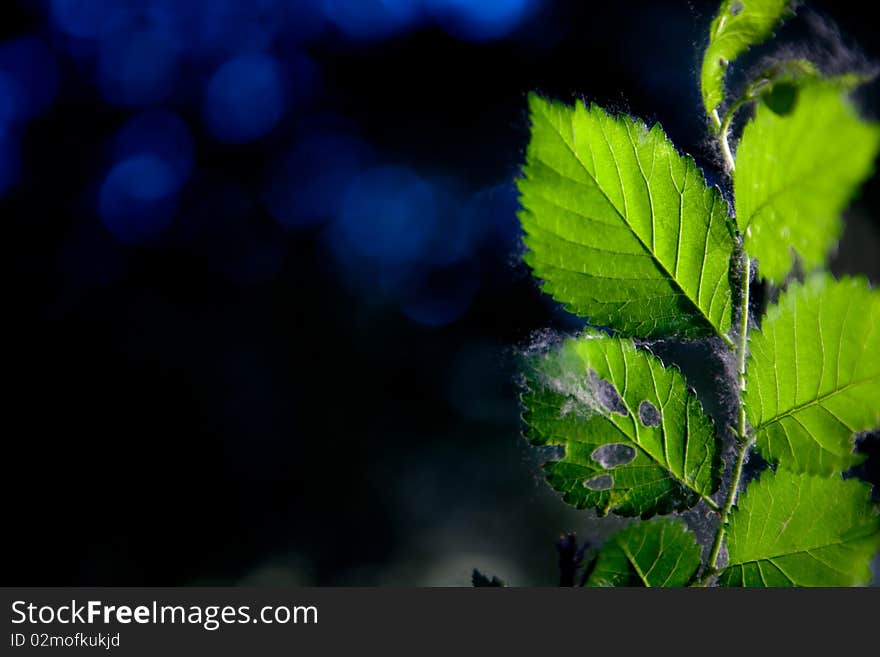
(660, 552)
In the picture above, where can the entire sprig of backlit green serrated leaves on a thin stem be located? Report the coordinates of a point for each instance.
(624, 231)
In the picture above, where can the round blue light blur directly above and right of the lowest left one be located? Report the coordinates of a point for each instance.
(244, 99)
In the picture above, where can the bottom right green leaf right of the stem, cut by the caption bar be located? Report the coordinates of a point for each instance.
(794, 529)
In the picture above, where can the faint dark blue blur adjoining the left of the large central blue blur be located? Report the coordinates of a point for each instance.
(305, 188)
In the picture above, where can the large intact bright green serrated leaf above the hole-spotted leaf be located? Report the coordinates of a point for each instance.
(622, 228)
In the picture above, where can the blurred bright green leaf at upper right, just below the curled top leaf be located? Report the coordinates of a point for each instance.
(796, 172)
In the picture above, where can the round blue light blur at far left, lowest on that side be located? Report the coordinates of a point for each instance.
(137, 200)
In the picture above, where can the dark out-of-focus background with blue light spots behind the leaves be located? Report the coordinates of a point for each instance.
(265, 295)
